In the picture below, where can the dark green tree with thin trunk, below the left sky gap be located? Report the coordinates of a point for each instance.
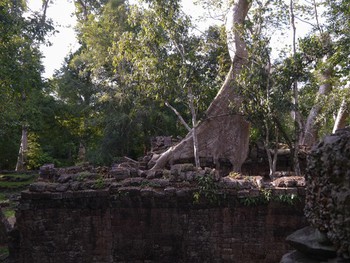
(77, 92)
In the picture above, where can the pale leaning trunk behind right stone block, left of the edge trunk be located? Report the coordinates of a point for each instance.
(311, 130)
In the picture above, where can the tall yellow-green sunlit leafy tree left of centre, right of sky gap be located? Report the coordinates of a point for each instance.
(128, 114)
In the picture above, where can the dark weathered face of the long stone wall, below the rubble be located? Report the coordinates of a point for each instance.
(154, 221)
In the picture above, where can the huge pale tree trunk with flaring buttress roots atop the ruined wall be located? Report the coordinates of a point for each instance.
(223, 134)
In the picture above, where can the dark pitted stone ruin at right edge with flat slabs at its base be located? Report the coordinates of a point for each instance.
(327, 207)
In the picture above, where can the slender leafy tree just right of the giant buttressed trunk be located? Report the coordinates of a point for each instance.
(261, 98)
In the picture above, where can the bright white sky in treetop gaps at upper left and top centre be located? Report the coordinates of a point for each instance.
(64, 42)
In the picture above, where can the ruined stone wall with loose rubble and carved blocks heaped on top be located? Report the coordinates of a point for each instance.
(83, 191)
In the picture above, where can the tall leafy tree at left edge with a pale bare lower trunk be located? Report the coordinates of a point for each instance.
(20, 65)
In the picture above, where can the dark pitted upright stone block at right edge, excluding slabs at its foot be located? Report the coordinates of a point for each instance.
(328, 189)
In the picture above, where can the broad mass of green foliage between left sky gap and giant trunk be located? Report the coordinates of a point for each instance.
(111, 92)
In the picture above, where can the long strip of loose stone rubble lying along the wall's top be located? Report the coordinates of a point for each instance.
(179, 178)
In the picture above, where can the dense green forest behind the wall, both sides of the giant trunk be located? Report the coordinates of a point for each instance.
(138, 63)
